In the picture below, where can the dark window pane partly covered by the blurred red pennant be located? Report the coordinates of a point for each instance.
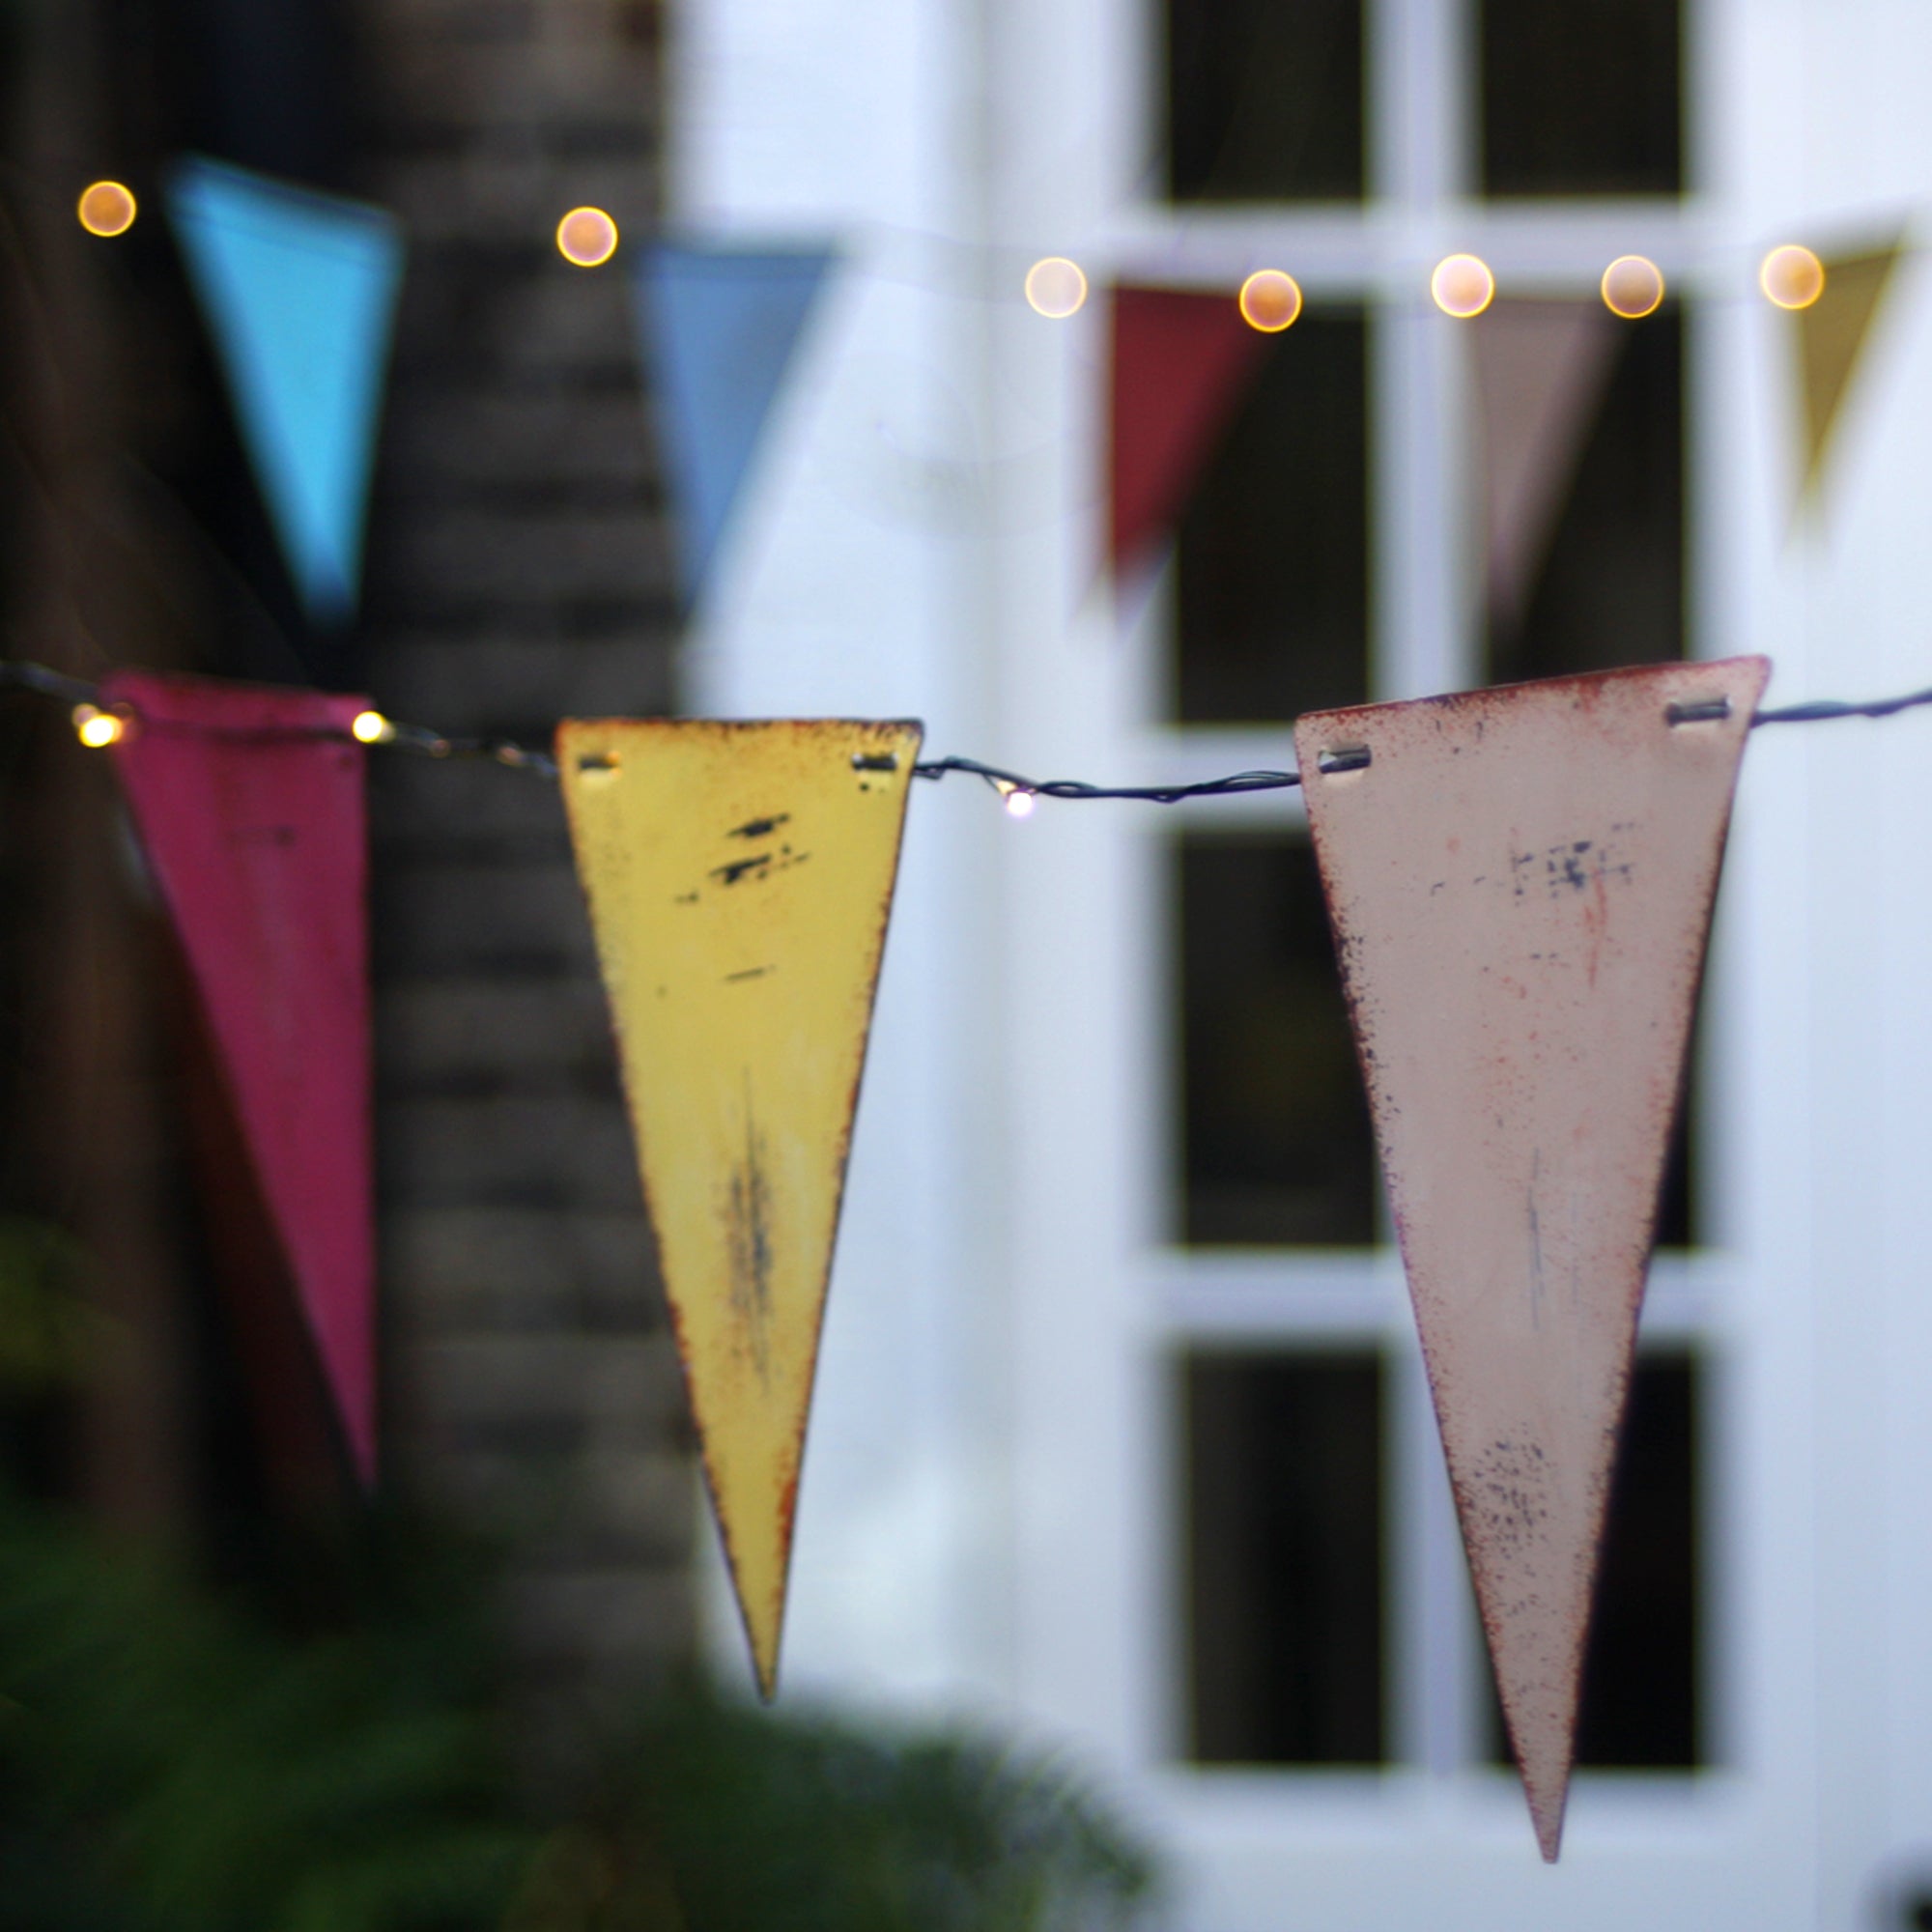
(1272, 561)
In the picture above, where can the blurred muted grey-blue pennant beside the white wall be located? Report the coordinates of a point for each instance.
(722, 327)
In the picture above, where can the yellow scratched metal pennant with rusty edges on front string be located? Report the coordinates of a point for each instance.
(741, 882)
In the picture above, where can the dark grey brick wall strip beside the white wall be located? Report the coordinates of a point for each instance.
(519, 573)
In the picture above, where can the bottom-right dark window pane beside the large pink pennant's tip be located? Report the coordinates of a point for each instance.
(1641, 1703)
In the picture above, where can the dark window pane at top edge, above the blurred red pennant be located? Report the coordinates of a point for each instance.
(1264, 99)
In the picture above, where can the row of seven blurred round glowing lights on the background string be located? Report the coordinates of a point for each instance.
(1270, 300)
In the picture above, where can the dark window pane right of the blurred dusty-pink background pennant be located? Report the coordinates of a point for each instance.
(1610, 590)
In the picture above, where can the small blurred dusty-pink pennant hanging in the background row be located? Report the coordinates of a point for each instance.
(1541, 376)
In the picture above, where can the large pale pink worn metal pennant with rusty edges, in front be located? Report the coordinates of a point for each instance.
(1521, 886)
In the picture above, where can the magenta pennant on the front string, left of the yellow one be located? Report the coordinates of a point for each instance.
(250, 809)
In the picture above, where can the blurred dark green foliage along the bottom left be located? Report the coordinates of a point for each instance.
(169, 1761)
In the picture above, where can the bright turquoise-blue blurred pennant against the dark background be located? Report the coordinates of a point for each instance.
(300, 297)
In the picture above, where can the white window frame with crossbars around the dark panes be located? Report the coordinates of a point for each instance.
(1110, 1309)
